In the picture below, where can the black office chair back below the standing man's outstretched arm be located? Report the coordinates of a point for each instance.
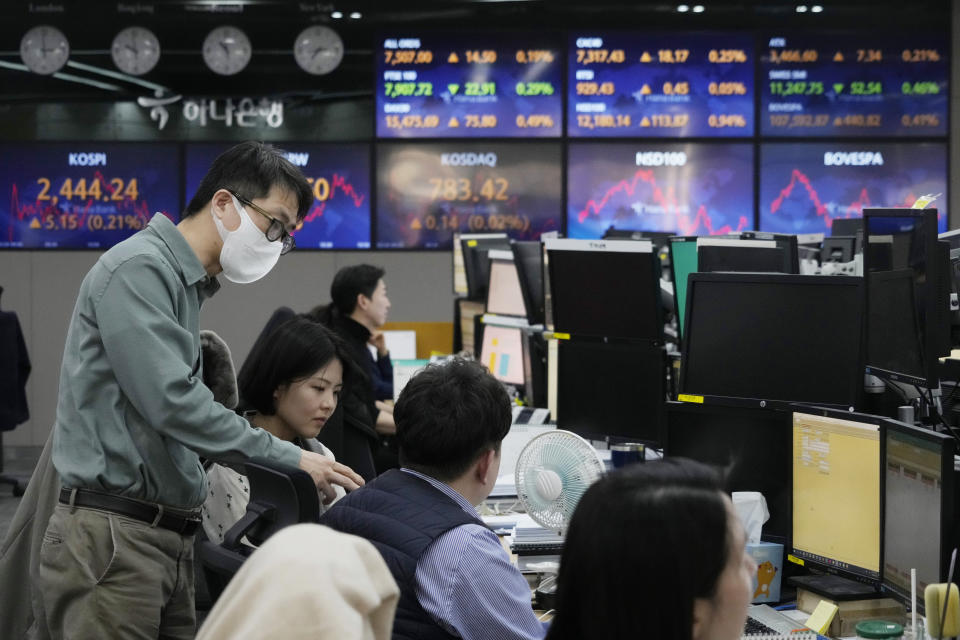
(279, 496)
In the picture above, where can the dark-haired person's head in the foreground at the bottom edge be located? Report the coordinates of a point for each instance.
(654, 550)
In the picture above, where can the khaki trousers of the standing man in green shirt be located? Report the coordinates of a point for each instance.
(103, 575)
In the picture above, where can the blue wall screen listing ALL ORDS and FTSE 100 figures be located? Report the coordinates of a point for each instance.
(469, 85)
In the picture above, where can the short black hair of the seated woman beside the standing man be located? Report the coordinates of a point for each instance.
(293, 351)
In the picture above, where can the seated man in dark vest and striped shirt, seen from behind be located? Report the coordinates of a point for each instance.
(456, 580)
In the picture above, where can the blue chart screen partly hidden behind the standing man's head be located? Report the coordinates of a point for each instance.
(340, 176)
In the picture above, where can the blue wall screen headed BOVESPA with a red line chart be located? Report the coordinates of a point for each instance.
(805, 187)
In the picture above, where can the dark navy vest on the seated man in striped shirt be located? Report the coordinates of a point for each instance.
(401, 515)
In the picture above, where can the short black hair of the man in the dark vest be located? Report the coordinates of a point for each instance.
(448, 415)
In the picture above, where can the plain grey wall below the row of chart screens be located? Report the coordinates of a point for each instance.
(41, 287)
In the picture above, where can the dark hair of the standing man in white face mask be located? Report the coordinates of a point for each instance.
(249, 170)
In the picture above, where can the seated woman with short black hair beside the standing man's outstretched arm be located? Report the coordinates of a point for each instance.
(289, 385)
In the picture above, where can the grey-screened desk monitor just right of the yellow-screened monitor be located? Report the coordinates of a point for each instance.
(919, 504)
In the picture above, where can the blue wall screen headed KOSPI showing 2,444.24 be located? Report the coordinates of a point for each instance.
(84, 195)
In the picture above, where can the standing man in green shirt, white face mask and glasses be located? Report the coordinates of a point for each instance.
(133, 414)
